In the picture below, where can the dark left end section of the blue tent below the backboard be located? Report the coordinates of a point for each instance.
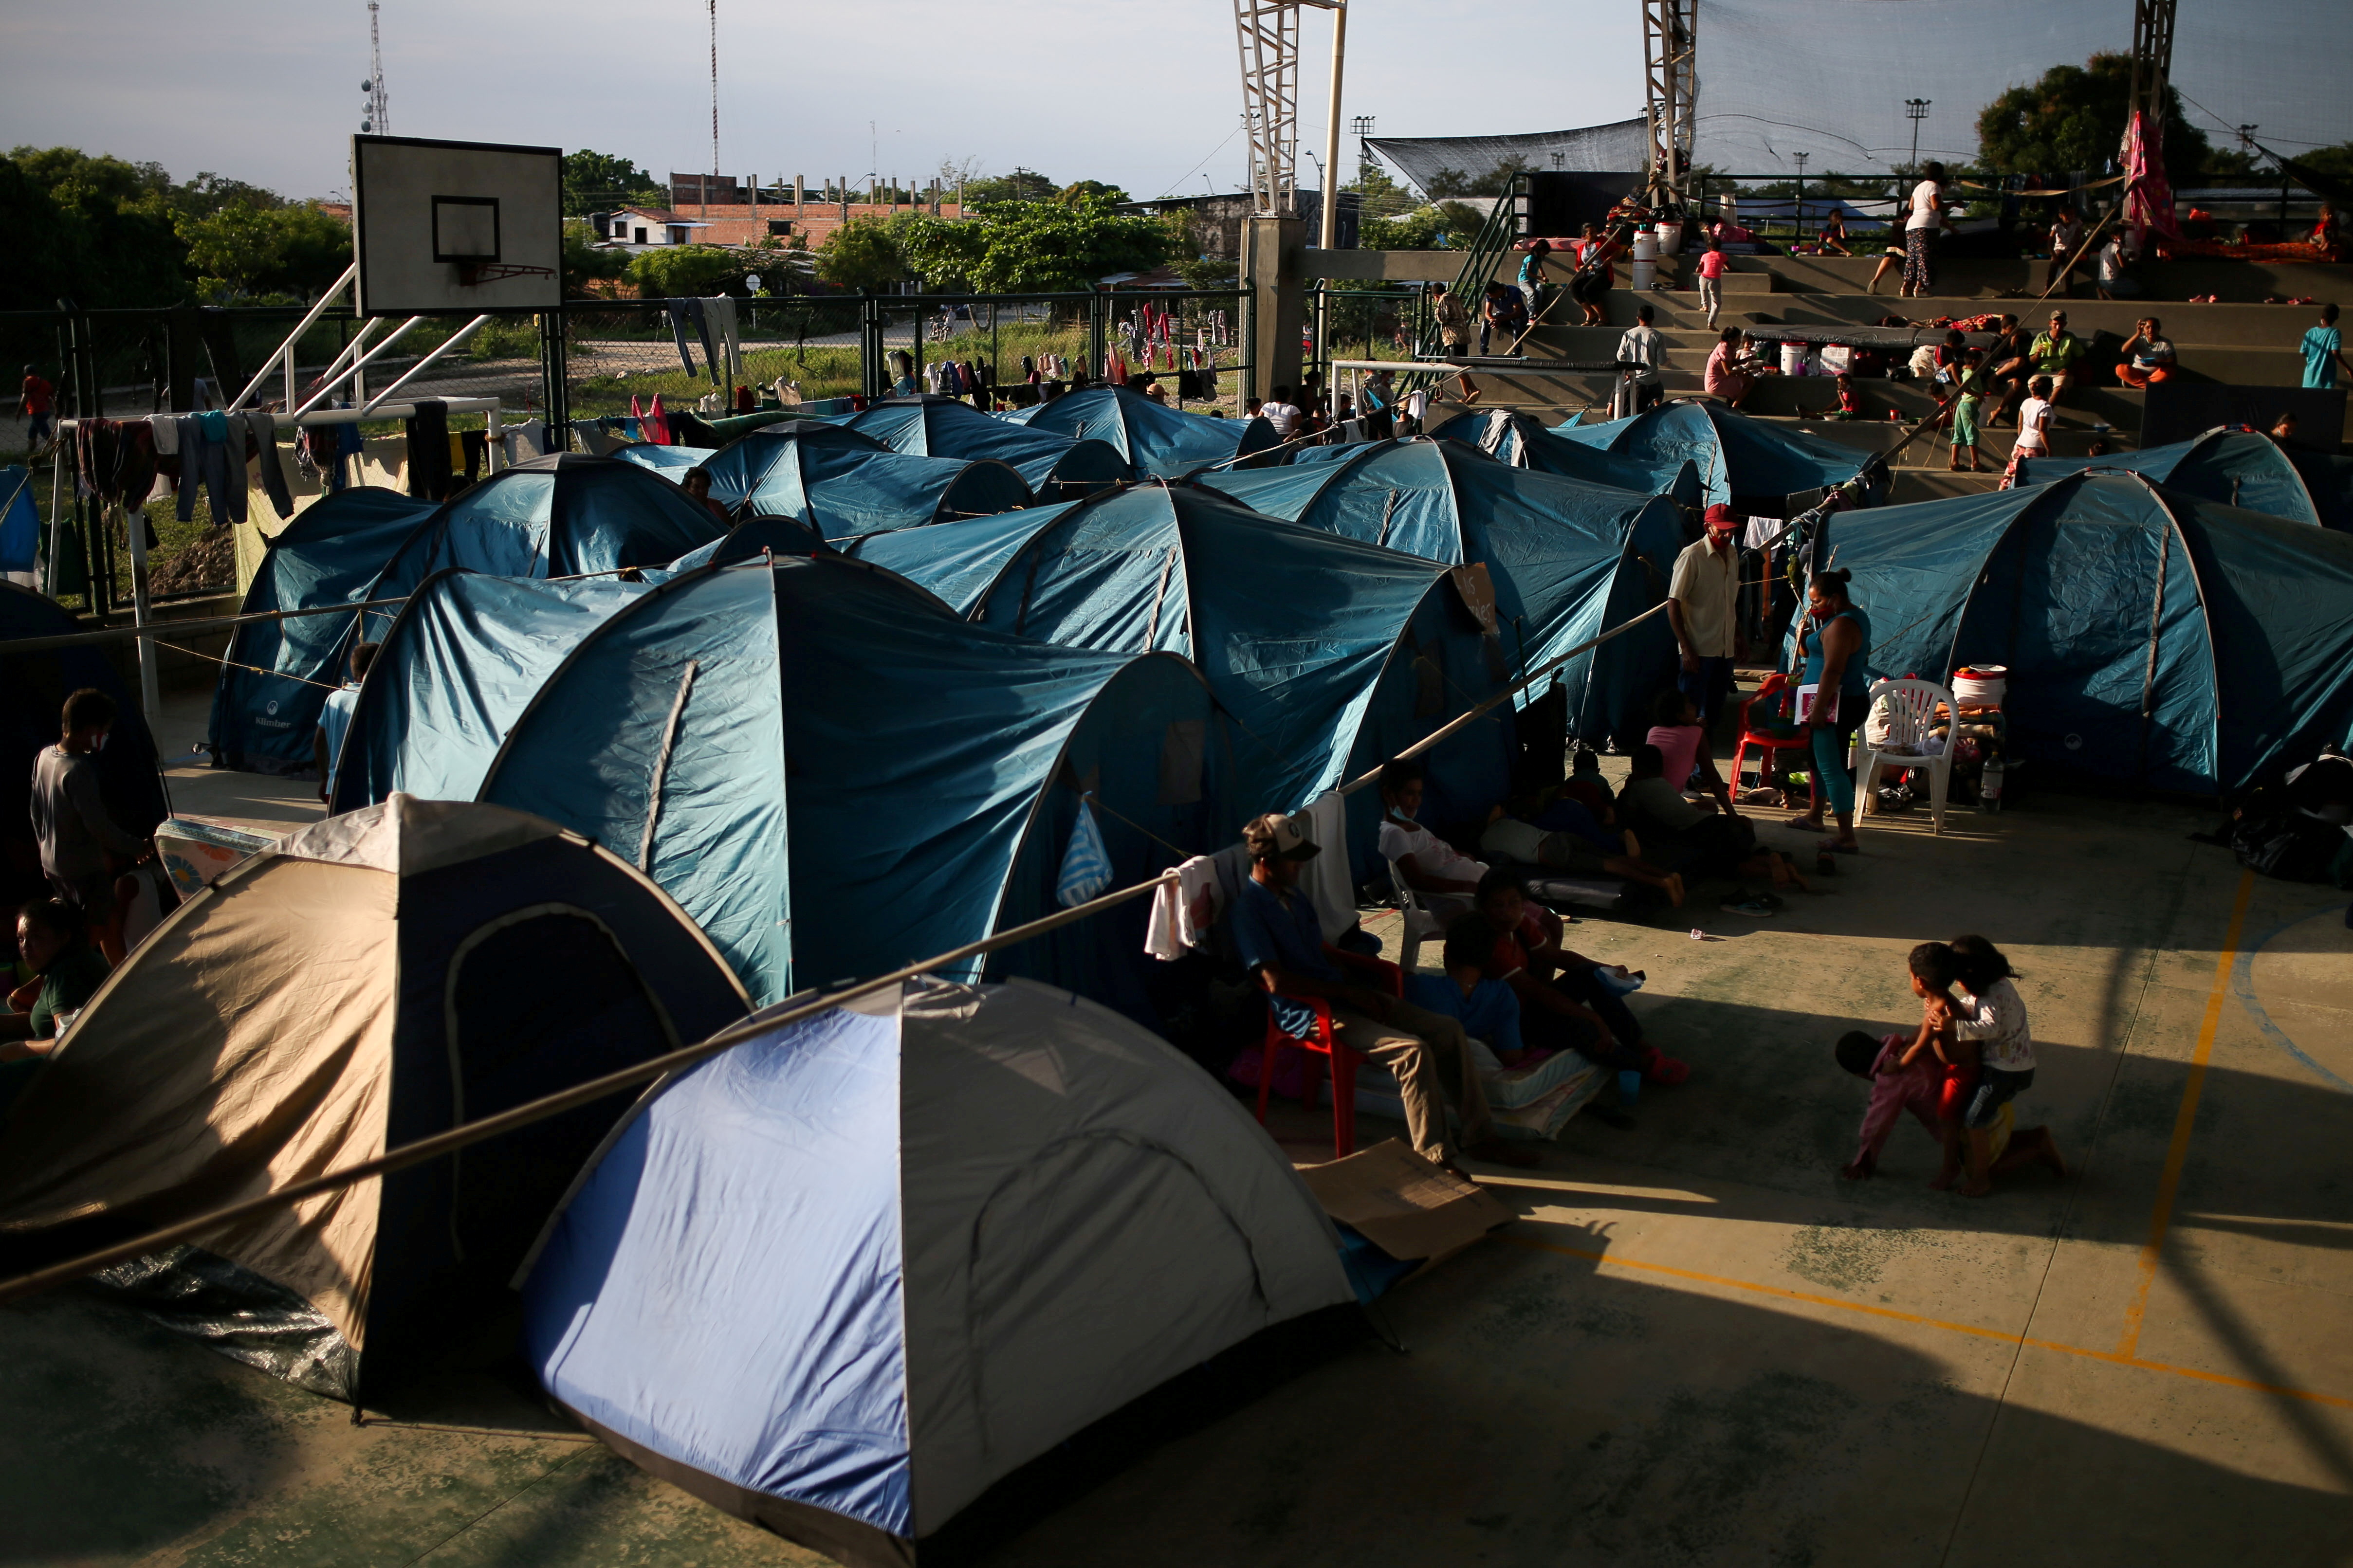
(333, 554)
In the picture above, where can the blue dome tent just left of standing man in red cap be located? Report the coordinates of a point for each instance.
(1568, 558)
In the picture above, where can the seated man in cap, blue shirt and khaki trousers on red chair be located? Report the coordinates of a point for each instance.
(1281, 942)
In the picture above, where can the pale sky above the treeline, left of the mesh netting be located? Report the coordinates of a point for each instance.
(1138, 93)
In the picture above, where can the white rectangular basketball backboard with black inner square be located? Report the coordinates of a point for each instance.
(455, 227)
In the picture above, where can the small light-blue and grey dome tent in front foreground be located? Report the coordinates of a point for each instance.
(961, 1226)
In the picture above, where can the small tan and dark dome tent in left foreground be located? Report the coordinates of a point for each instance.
(373, 979)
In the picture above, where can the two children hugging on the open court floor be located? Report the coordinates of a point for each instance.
(1959, 1073)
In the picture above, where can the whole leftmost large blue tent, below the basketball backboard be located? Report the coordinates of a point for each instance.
(556, 516)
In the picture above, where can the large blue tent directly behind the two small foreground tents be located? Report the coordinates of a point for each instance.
(820, 763)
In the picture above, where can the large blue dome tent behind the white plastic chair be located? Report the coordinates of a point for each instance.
(2149, 636)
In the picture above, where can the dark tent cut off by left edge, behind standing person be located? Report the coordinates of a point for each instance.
(34, 690)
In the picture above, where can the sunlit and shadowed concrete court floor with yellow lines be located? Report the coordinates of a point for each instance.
(1698, 1343)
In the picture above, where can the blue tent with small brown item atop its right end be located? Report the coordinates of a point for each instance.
(1328, 652)
